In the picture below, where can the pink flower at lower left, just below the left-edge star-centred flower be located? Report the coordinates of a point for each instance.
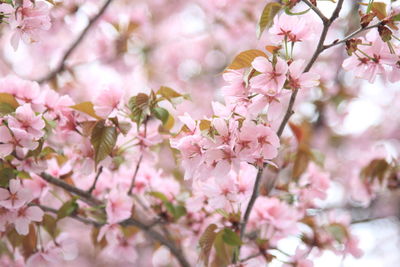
(24, 216)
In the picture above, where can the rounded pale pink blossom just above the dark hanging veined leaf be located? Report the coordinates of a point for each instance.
(108, 101)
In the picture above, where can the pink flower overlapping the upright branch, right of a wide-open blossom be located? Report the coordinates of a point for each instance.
(298, 79)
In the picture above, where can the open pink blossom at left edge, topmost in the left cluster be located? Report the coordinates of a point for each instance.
(26, 120)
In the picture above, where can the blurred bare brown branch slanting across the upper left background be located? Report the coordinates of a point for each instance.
(74, 45)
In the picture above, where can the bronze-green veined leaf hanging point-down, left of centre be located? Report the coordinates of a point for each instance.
(103, 140)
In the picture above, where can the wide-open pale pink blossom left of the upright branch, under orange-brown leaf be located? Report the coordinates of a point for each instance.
(271, 79)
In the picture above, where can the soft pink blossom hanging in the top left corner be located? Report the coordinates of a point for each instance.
(30, 20)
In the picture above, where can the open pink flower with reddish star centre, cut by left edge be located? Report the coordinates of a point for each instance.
(16, 196)
